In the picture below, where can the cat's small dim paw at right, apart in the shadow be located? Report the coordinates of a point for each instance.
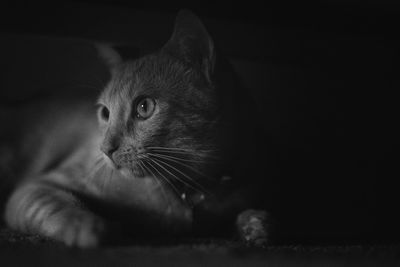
(254, 227)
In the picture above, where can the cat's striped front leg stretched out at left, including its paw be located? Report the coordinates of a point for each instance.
(44, 208)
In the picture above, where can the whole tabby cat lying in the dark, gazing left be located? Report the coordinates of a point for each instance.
(169, 150)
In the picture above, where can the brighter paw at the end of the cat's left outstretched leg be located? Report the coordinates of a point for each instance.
(77, 229)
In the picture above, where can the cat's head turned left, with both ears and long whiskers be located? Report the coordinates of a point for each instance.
(160, 114)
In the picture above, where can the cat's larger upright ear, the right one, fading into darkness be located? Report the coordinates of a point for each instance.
(192, 43)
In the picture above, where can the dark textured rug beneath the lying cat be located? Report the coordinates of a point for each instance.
(24, 250)
